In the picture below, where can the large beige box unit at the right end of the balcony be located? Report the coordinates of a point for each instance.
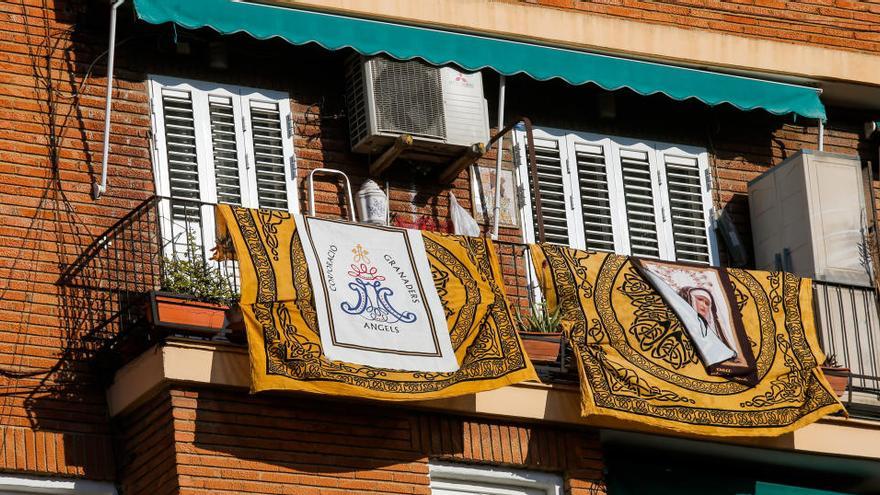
(808, 217)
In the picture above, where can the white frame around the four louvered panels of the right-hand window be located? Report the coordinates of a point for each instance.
(612, 146)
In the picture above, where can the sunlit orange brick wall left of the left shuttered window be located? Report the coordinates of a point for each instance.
(52, 409)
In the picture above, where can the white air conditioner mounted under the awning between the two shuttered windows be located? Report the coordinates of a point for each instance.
(442, 108)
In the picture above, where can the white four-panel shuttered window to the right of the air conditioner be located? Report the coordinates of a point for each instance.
(613, 194)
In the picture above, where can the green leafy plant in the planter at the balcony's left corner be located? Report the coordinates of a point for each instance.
(192, 275)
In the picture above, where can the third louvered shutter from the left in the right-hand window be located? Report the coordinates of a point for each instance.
(640, 201)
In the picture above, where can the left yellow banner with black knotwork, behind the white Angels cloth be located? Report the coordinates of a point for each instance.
(284, 339)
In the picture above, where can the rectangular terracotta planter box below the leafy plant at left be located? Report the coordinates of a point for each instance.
(183, 314)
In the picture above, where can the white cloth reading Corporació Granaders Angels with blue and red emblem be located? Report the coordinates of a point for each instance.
(375, 296)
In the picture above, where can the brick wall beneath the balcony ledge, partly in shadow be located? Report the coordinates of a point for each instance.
(232, 442)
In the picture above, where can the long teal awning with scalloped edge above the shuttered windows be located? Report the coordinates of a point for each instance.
(471, 52)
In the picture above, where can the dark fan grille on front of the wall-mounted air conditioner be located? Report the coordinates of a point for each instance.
(409, 98)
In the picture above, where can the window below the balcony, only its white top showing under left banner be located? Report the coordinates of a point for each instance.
(456, 479)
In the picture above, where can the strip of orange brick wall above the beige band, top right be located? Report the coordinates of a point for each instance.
(845, 24)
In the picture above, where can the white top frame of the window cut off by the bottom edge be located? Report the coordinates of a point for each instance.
(449, 476)
